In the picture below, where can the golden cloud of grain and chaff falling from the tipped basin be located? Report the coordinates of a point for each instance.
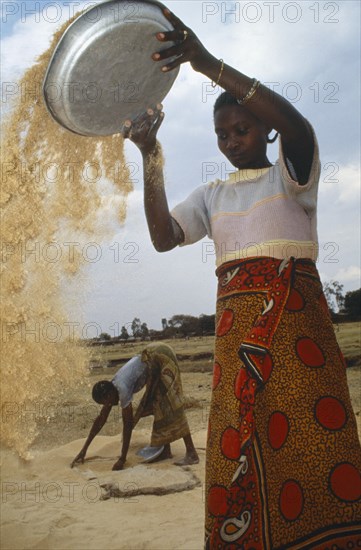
(54, 187)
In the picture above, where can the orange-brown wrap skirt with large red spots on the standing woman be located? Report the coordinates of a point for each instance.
(283, 455)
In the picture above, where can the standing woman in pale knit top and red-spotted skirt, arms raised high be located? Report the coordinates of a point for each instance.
(283, 456)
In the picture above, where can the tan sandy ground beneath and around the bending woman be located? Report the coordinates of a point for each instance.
(46, 505)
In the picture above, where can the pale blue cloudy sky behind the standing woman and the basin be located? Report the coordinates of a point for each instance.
(308, 52)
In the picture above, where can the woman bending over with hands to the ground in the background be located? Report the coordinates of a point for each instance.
(157, 371)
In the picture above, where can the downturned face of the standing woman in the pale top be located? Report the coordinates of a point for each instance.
(242, 137)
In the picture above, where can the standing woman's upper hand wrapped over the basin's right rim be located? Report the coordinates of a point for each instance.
(188, 46)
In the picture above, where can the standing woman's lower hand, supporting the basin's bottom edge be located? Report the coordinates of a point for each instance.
(143, 130)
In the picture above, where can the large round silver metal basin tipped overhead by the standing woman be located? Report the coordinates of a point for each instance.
(101, 71)
